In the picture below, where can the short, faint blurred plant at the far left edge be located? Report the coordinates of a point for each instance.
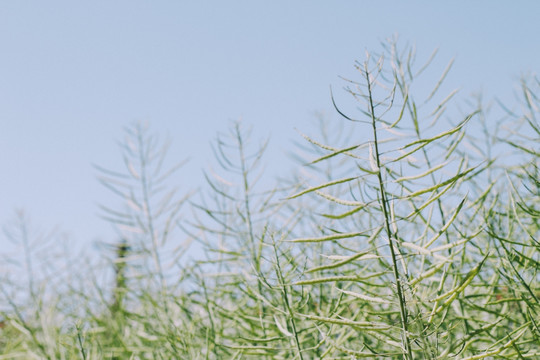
(29, 298)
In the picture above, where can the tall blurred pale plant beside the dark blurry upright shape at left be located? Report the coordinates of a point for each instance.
(146, 219)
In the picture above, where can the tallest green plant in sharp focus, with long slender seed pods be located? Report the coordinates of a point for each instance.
(415, 254)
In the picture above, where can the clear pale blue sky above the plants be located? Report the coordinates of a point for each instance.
(73, 74)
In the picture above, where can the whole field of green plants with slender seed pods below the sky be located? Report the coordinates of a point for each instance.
(413, 234)
